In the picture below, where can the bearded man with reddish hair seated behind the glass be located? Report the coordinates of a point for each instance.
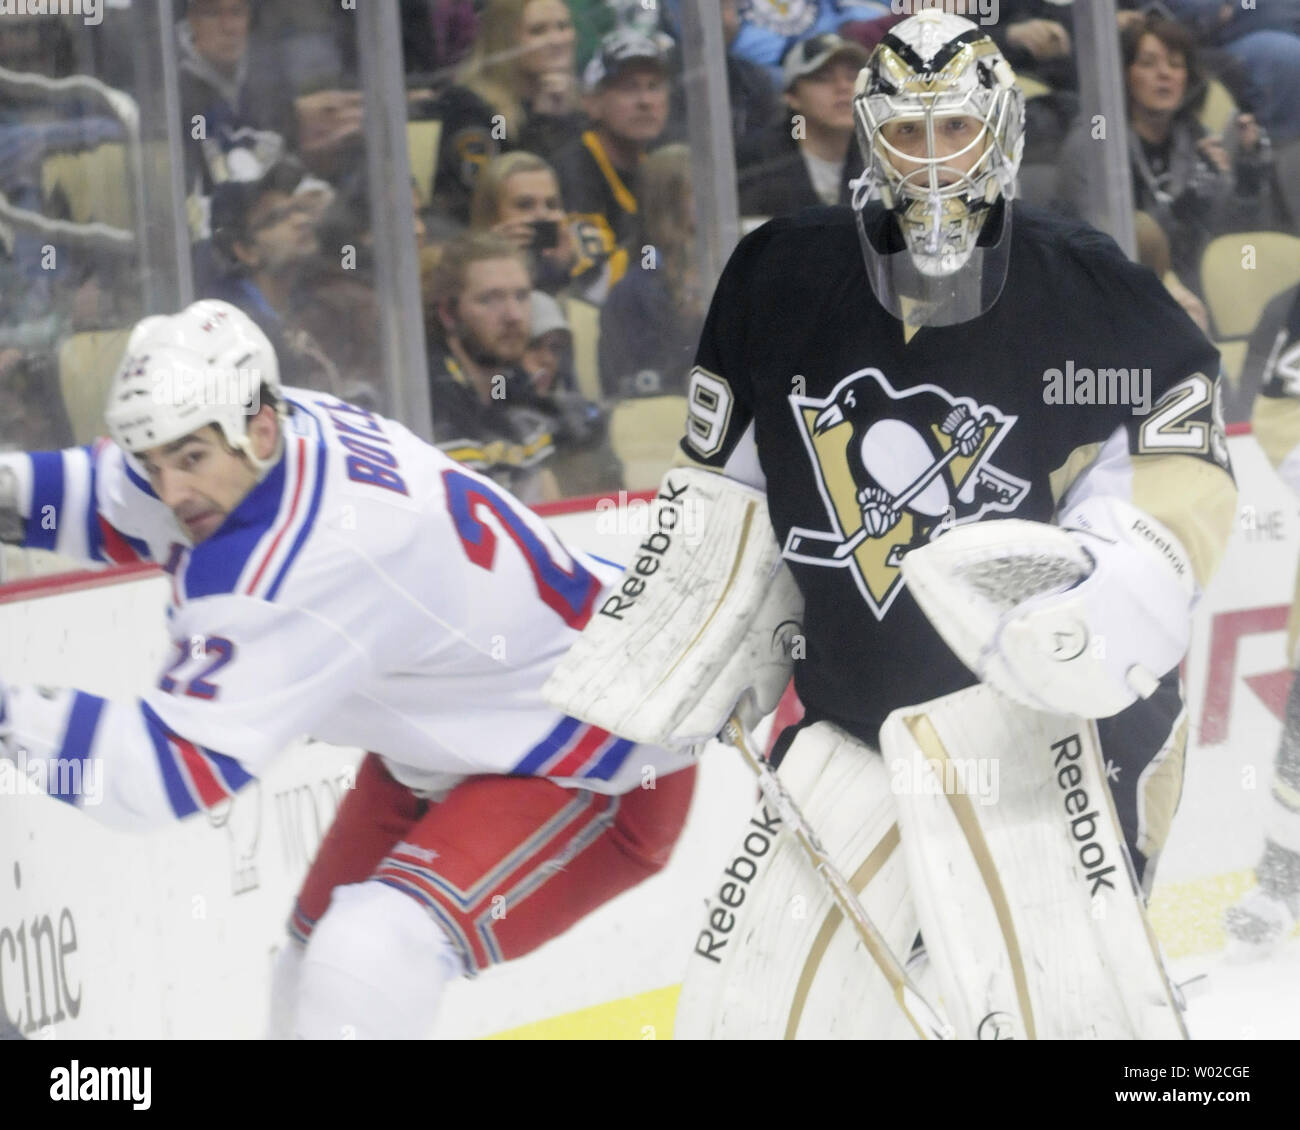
(486, 414)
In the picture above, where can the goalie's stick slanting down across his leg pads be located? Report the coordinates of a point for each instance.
(922, 1016)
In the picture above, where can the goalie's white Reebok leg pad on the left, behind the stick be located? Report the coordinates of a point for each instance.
(774, 958)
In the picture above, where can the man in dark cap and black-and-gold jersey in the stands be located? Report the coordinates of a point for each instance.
(627, 103)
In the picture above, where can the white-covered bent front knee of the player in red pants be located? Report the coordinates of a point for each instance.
(375, 968)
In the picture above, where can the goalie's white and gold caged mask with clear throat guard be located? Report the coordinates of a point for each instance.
(942, 128)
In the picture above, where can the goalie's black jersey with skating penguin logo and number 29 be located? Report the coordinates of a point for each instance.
(874, 438)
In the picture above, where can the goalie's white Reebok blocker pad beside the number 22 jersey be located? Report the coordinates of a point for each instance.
(695, 624)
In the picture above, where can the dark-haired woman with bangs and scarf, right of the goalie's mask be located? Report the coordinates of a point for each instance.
(1194, 185)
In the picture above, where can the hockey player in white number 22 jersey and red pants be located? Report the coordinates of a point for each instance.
(333, 577)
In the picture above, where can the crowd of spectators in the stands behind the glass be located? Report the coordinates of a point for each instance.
(554, 211)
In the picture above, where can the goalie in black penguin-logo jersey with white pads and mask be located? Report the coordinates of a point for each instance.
(983, 590)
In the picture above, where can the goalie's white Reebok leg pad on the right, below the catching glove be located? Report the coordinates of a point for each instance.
(1028, 899)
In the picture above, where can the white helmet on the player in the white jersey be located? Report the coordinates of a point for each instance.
(207, 365)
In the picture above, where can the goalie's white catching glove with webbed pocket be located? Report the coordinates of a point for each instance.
(1080, 618)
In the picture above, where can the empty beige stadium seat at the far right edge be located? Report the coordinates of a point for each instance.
(1236, 295)
